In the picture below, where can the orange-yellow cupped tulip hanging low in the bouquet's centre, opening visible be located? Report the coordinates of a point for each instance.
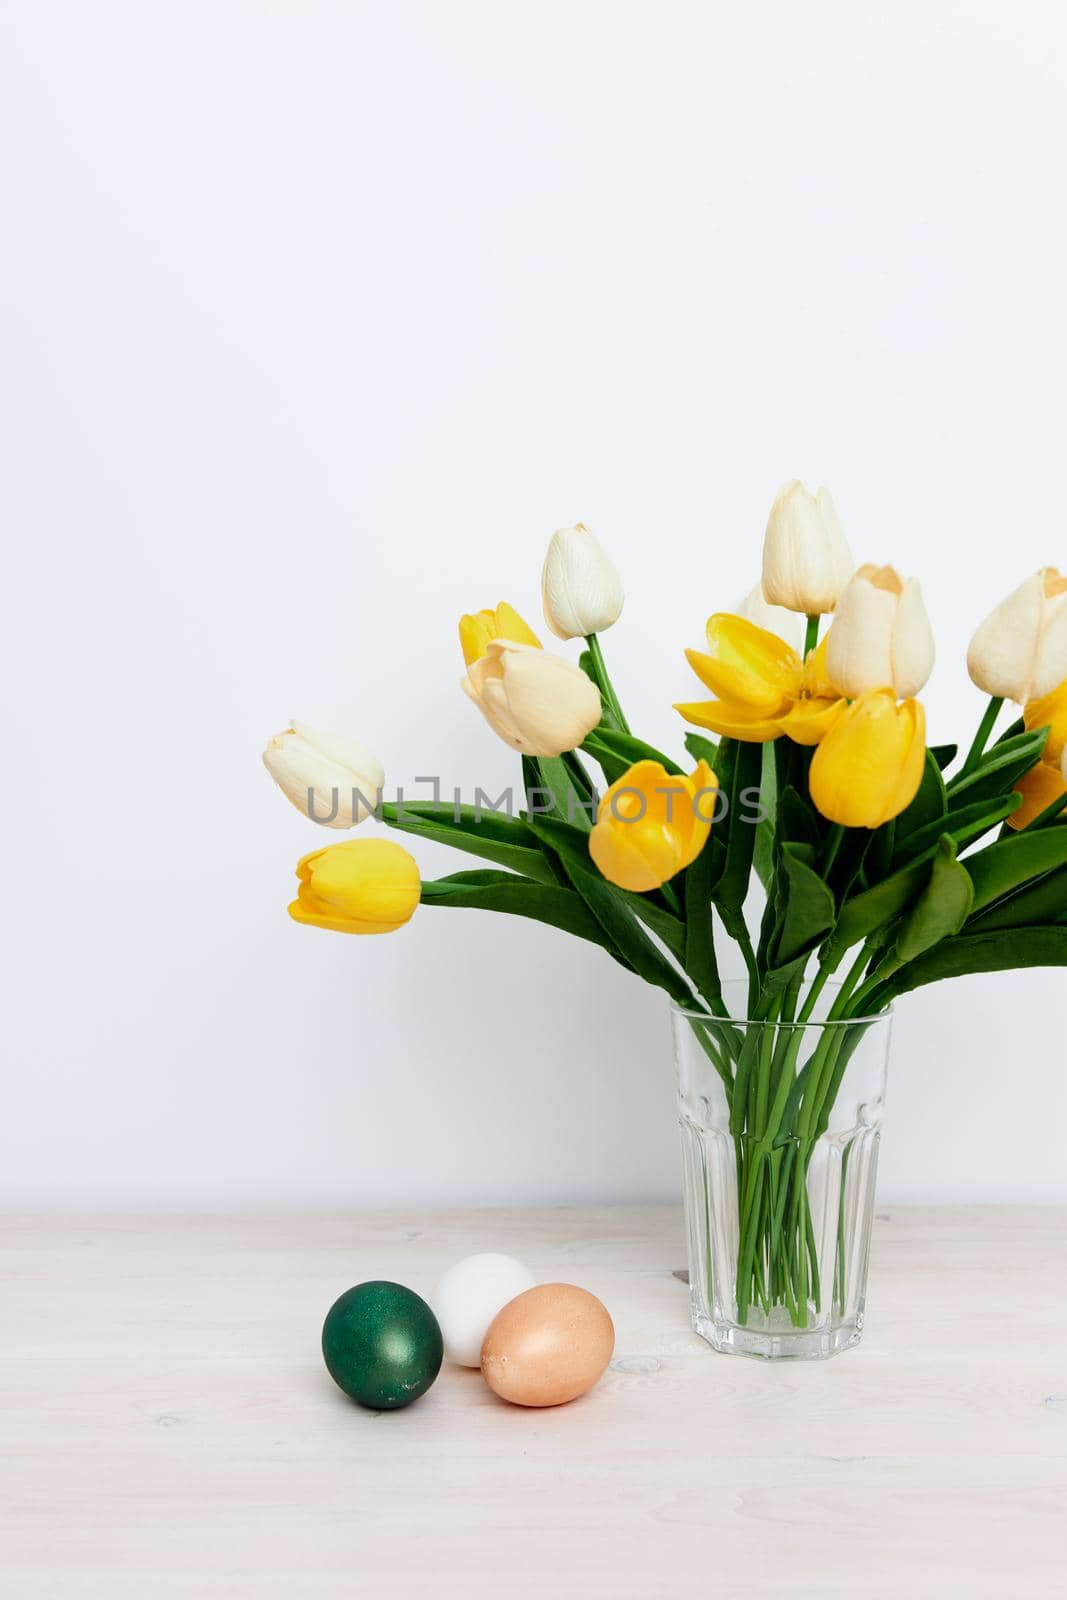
(652, 825)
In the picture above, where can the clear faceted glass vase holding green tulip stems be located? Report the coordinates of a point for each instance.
(780, 1138)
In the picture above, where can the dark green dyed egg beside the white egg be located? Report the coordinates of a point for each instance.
(382, 1345)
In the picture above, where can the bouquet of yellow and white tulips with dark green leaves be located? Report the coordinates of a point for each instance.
(881, 860)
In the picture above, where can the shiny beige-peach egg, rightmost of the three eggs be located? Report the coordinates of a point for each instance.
(548, 1346)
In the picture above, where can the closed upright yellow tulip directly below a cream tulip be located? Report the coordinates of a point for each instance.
(869, 766)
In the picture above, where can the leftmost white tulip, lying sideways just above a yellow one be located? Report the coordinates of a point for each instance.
(332, 780)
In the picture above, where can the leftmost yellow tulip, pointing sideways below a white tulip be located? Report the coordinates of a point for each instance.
(362, 886)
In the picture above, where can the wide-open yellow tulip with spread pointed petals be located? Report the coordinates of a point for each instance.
(764, 687)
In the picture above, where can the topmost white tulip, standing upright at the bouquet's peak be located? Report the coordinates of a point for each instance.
(807, 561)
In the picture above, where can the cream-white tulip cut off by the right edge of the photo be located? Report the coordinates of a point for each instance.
(1020, 652)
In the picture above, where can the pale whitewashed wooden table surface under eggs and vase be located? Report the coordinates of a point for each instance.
(169, 1428)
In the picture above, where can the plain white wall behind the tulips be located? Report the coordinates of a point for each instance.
(319, 321)
